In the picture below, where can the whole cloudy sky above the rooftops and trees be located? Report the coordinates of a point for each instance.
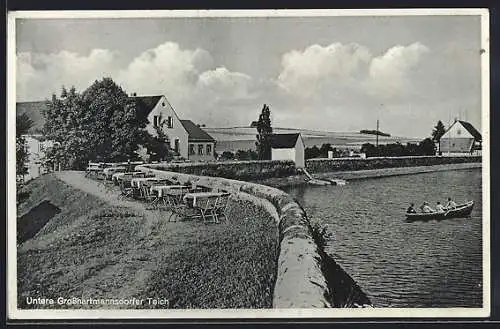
(326, 73)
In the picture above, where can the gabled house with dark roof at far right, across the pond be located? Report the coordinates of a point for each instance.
(461, 138)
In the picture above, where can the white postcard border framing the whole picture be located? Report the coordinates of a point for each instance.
(14, 313)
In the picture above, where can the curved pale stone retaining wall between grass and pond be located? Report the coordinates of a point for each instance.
(300, 281)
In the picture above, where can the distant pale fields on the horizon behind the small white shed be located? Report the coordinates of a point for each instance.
(243, 138)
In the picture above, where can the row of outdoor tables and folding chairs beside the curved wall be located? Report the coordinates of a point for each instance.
(184, 201)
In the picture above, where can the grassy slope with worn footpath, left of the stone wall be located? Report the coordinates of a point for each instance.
(94, 249)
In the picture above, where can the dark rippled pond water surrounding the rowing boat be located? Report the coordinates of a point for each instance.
(399, 263)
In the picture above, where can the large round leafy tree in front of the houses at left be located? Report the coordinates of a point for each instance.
(101, 124)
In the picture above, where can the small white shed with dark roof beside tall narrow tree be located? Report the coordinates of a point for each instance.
(288, 147)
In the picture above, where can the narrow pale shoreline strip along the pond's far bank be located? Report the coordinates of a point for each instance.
(299, 180)
